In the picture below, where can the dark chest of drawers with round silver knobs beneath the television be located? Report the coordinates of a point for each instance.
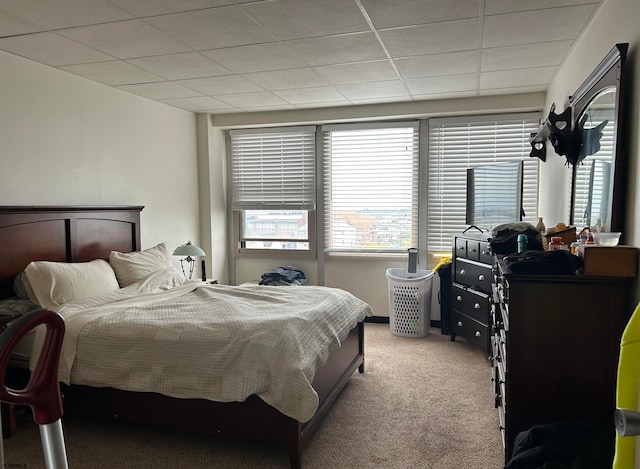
(470, 291)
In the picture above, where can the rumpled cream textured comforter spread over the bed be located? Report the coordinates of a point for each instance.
(208, 341)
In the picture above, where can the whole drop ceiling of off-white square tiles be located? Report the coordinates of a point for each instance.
(230, 56)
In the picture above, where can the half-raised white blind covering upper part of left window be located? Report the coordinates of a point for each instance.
(273, 168)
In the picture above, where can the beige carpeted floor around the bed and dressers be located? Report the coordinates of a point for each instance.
(422, 402)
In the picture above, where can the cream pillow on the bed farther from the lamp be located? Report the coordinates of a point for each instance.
(55, 283)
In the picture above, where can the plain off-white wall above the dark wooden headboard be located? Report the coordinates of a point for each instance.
(67, 140)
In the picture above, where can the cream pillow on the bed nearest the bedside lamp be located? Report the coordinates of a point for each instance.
(131, 267)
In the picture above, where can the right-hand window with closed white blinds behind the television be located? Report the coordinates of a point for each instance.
(456, 144)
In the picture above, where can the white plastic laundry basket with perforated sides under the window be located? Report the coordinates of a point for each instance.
(410, 302)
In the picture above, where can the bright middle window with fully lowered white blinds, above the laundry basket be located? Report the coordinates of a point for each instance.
(370, 175)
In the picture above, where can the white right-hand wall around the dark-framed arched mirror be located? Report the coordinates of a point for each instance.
(615, 22)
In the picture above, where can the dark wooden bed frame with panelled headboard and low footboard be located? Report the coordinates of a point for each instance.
(73, 234)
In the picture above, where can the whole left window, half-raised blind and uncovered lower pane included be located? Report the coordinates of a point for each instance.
(273, 187)
